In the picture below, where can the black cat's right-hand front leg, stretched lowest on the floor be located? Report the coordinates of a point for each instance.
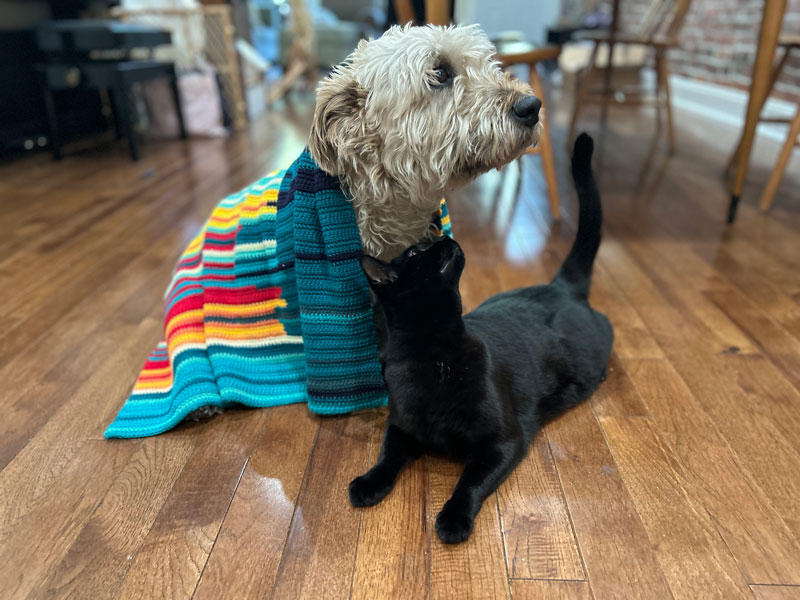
(484, 472)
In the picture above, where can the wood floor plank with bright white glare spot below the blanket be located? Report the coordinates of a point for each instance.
(257, 523)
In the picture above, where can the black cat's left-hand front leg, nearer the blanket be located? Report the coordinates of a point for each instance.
(397, 451)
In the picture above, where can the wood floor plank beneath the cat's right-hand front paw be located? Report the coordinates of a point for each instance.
(475, 568)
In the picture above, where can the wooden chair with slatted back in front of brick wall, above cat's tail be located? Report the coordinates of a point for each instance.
(658, 31)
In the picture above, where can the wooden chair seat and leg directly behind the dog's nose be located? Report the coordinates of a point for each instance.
(515, 53)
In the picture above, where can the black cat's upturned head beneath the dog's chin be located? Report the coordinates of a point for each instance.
(420, 286)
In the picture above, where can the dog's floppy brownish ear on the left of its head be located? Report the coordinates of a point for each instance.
(337, 117)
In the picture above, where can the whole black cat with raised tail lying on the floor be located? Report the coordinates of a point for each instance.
(479, 387)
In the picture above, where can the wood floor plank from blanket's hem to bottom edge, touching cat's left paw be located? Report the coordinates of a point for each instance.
(319, 557)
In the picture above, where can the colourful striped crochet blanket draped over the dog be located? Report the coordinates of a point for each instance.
(268, 305)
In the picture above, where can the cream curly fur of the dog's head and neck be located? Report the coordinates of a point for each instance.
(410, 116)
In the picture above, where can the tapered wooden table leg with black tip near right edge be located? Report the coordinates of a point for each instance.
(767, 43)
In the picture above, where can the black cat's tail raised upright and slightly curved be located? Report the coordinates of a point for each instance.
(576, 271)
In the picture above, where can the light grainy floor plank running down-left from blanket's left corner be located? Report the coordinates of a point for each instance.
(97, 562)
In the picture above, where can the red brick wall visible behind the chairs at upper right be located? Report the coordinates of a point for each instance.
(718, 42)
